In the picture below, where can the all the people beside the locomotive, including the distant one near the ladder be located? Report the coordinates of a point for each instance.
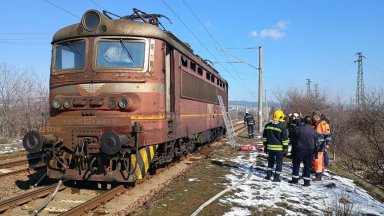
(309, 137)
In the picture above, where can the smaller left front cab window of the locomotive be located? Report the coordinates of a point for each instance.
(69, 55)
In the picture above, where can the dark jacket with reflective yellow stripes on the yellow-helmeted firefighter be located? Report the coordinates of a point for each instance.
(275, 136)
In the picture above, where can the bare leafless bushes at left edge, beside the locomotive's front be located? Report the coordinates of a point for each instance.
(23, 97)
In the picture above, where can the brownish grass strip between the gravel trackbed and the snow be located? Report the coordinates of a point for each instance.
(187, 193)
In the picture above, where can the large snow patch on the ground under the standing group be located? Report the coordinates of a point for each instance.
(258, 193)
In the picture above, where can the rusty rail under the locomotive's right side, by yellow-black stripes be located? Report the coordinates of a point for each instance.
(92, 204)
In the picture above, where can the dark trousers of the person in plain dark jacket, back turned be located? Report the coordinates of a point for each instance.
(305, 156)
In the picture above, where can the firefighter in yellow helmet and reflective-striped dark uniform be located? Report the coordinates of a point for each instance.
(275, 142)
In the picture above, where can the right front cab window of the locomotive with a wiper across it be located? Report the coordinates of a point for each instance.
(120, 53)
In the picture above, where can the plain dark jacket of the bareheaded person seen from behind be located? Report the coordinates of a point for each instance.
(305, 138)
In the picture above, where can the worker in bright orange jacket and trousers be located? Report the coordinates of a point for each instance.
(323, 140)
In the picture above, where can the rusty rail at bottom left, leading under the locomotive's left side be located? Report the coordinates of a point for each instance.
(27, 197)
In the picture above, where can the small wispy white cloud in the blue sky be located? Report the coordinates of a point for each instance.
(276, 32)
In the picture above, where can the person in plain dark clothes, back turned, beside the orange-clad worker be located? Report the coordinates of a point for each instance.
(305, 142)
